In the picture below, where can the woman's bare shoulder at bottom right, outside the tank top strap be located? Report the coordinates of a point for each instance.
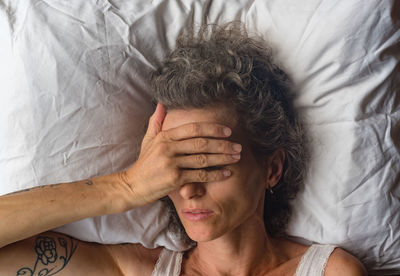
(343, 263)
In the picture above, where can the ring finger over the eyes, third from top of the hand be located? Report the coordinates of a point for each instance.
(206, 160)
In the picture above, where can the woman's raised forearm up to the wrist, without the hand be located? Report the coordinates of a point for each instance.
(24, 214)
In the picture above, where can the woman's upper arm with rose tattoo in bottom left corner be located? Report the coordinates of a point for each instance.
(56, 254)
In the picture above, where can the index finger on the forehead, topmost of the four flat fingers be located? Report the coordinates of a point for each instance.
(198, 129)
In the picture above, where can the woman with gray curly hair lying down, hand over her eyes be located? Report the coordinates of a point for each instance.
(230, 197)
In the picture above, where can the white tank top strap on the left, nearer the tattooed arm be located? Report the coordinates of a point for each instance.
(168, 263)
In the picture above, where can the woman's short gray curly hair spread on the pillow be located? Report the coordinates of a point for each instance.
(223, 65)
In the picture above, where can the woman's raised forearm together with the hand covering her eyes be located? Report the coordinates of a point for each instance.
(168, 159)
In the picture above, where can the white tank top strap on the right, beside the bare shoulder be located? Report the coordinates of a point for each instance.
(313, 262)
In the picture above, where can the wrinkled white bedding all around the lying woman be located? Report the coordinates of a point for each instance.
(75, 99)
